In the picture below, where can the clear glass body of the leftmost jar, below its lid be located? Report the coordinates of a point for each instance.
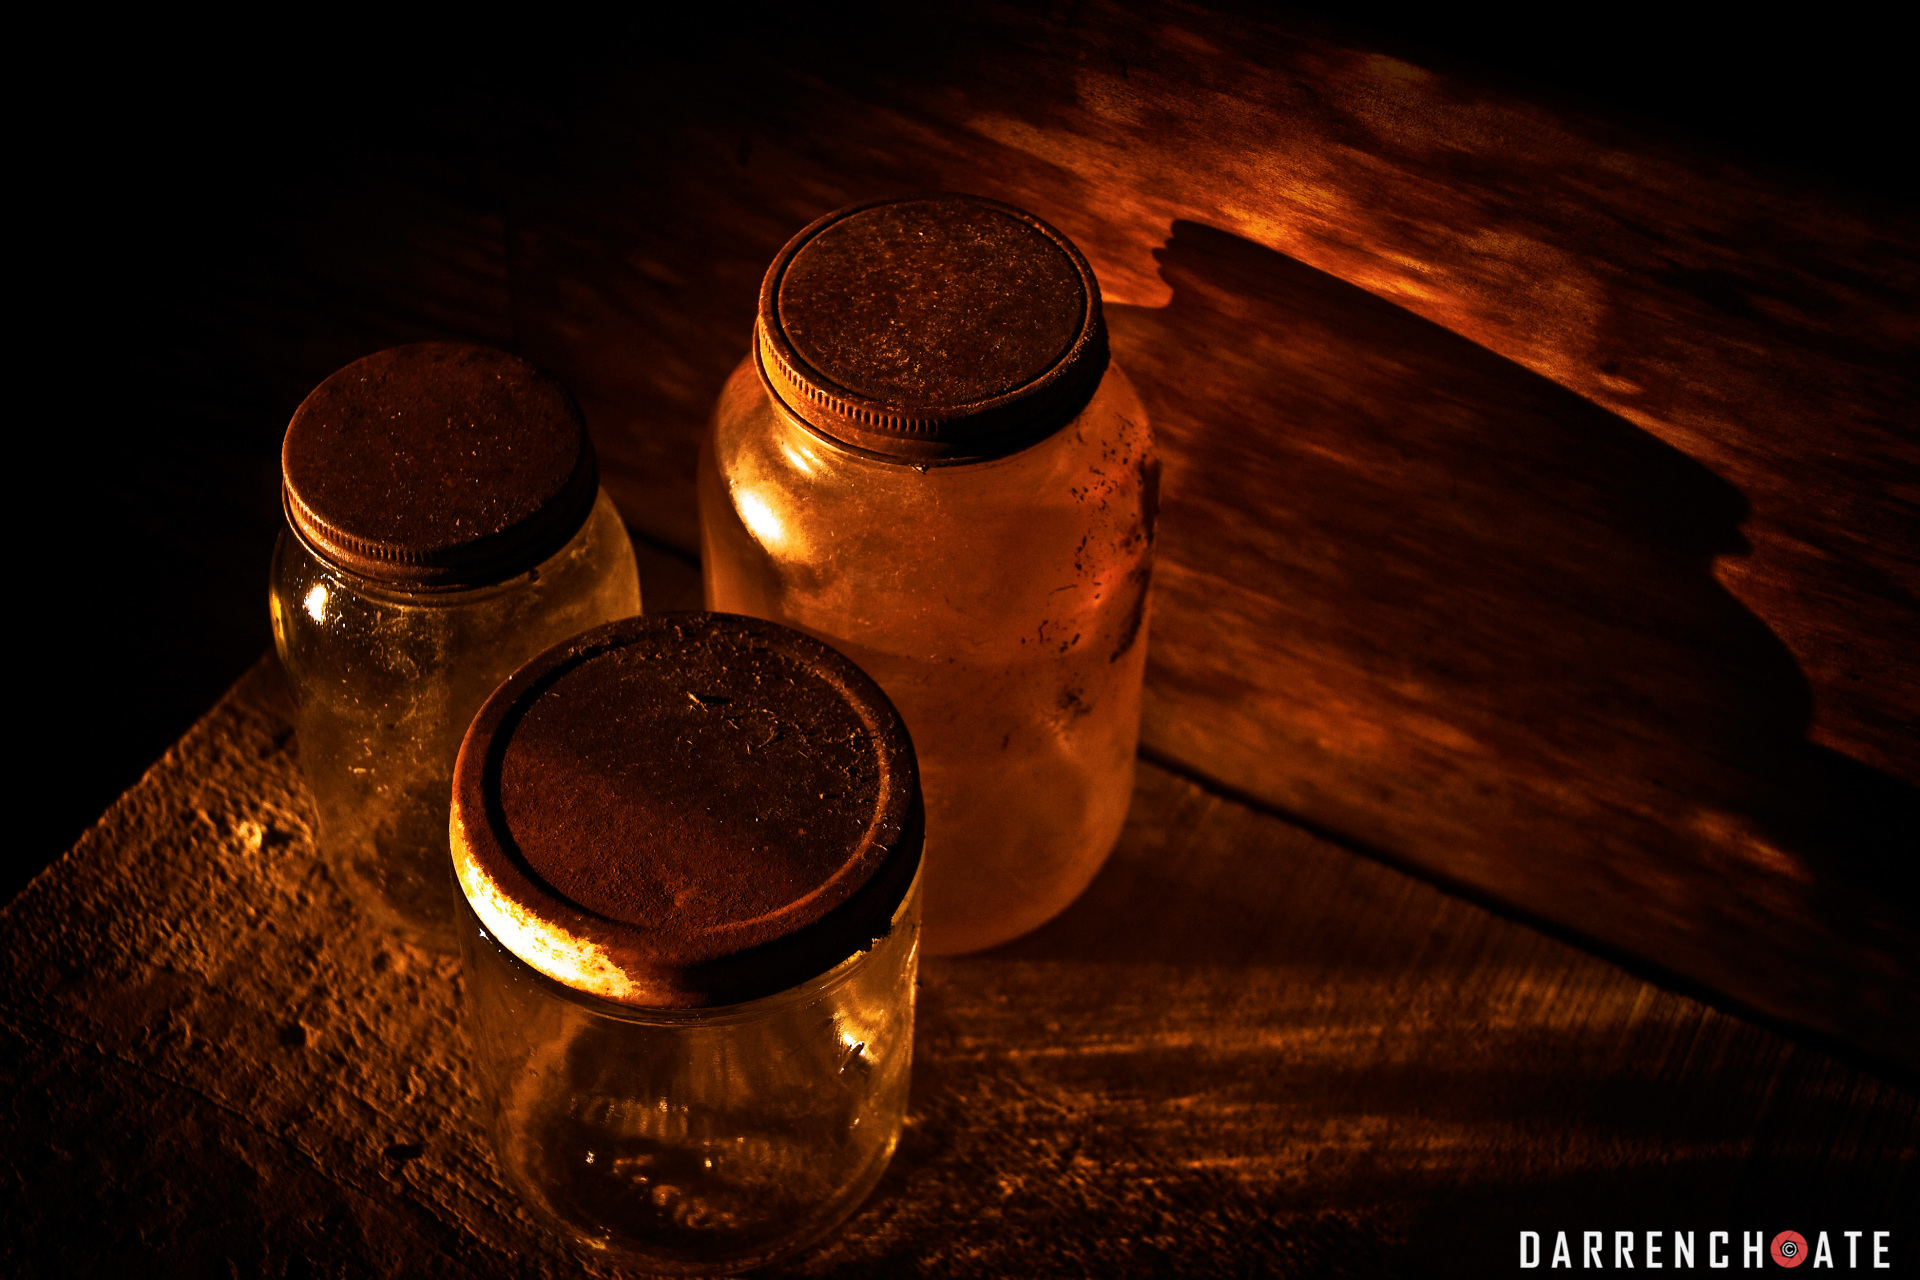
(387, 682)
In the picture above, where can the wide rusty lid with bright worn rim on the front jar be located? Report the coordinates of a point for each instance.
(686, 809)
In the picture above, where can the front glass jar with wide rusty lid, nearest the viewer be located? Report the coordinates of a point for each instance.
(688, 855)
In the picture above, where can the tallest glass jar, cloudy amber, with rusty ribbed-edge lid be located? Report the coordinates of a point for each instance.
(930, 463)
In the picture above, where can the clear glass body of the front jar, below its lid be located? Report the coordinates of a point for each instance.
(696, 1141)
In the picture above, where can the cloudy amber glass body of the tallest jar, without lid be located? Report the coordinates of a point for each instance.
(1001, 605)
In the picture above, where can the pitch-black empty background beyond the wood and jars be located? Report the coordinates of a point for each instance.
(191, 275)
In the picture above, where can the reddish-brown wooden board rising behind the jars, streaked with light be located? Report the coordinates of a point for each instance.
(1541, 498)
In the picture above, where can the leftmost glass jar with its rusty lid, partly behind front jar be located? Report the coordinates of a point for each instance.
(444, 525)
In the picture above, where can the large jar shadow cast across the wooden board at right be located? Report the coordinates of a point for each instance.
(1449, 609)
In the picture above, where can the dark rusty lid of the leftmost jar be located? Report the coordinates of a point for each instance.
(439, 465)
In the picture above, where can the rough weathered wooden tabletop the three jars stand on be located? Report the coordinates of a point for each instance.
(1243, 1051)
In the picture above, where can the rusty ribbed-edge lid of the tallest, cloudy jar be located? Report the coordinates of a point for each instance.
(932, 329)
